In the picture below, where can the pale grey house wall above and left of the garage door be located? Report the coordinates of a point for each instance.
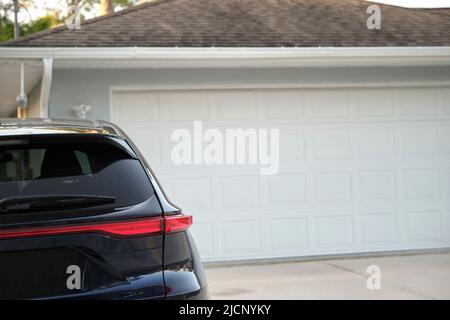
(75, 86)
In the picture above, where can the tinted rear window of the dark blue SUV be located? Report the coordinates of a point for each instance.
(97, 166)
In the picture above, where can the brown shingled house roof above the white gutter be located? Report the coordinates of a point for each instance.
(251, 23)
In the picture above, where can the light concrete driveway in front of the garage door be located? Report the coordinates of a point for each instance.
(425, 276)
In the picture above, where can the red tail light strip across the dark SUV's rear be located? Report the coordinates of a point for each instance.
(129, 228)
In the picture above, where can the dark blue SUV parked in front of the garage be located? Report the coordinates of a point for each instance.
(83, 217)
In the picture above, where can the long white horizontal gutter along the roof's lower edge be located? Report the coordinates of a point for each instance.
(258, 57)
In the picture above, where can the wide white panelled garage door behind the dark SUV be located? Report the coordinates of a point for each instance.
(361, 170)
